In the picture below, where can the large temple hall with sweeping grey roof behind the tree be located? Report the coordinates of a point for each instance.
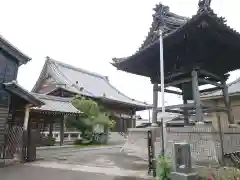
(64, 80)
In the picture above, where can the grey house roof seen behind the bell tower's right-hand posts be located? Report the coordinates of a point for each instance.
(233, 88)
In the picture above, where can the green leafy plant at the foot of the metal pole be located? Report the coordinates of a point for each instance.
(163, 168)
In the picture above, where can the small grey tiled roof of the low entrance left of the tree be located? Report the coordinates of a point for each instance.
(56, 104)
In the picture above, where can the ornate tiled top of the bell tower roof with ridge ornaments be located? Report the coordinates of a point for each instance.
(170, 23)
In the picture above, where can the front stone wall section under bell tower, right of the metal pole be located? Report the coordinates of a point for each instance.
(203, 139)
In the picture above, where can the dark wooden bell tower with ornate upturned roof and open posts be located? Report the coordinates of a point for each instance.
(191, 49)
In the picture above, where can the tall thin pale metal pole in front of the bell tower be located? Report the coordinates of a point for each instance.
(162, 88)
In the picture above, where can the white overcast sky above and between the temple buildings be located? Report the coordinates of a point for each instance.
(89, 33)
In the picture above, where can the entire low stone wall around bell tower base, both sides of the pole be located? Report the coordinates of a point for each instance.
(203, 138)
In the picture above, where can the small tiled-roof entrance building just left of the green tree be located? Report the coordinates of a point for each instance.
(50, 117)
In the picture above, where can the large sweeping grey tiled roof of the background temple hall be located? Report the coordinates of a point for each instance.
(87, 83)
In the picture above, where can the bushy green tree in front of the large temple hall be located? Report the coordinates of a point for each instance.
(93, 114)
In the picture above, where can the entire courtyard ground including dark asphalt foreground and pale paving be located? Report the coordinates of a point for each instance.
(101, 164)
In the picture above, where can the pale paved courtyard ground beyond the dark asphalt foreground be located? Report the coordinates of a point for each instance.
(105, 162)
